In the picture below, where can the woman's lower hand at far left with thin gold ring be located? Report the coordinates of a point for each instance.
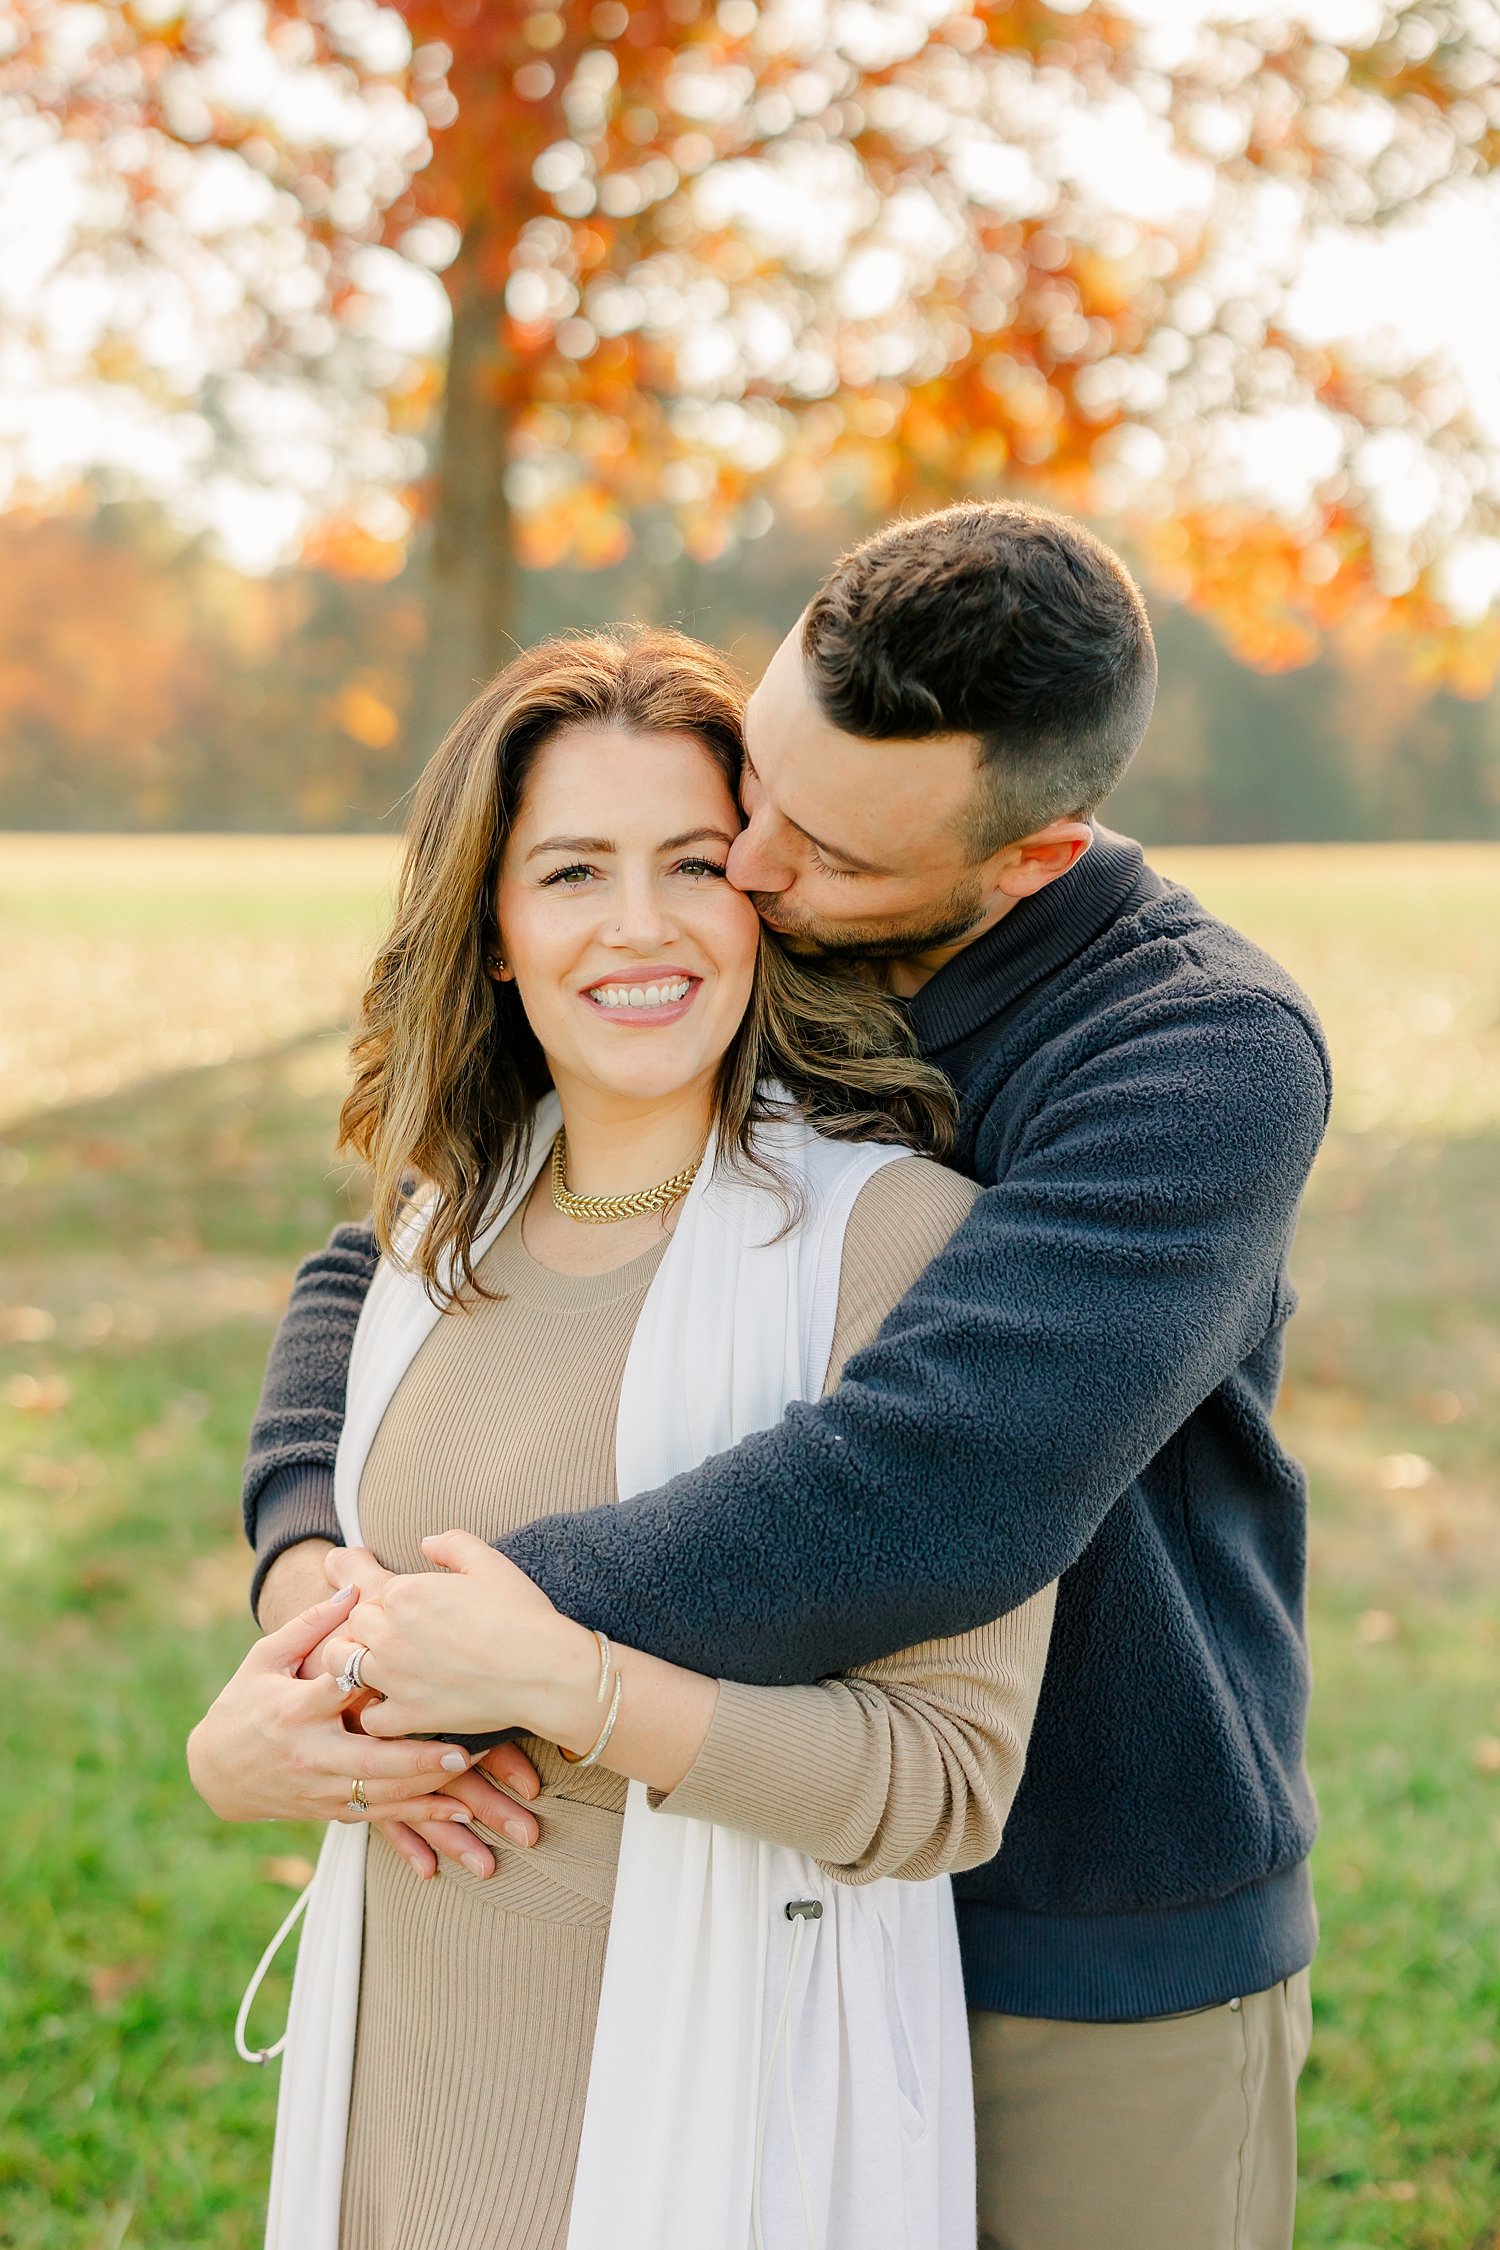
(275, 1747)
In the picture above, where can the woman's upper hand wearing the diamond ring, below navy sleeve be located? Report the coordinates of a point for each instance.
(467, 1648)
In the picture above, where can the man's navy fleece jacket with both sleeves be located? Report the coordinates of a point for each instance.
(1081, 1387)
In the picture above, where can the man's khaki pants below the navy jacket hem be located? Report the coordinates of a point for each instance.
(1177, 2134)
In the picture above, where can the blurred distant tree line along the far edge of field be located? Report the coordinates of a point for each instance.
(145, 685)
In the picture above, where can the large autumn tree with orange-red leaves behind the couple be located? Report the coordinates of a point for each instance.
(721, 262)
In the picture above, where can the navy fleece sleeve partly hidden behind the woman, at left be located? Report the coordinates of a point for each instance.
(296, 1432)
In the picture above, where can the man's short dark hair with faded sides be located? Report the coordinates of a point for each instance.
(993, 620)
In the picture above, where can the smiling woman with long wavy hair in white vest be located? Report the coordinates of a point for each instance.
(667, 1187)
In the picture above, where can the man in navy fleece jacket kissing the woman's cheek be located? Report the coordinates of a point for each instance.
(1081, 1387)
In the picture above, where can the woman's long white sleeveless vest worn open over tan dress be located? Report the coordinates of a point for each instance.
(759, 2082)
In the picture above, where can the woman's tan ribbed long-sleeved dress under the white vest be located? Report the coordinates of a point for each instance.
(478, 1997)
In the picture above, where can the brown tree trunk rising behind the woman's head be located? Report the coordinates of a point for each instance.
(471, 602)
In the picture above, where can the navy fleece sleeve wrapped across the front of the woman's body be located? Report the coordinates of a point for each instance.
(1121, 1270)
